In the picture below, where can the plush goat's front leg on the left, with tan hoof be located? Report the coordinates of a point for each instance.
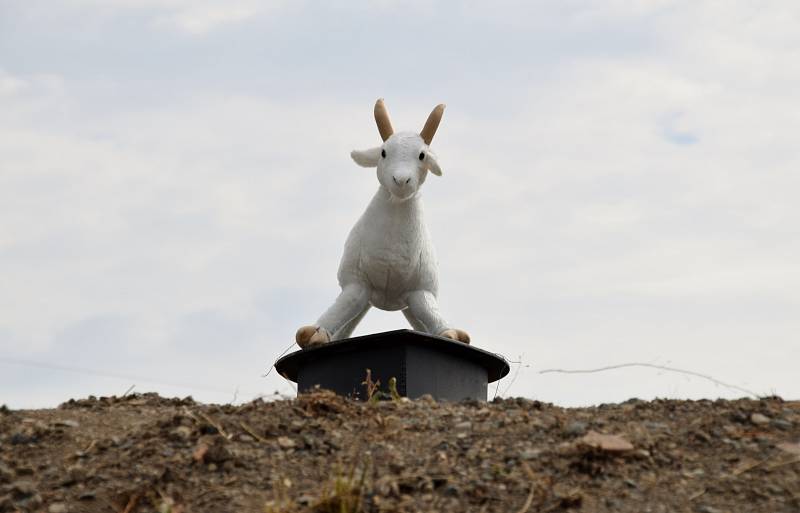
(351, 303)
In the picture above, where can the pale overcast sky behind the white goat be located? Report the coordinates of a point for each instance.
(620, 185)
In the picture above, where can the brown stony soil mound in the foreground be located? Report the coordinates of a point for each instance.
(324, 453)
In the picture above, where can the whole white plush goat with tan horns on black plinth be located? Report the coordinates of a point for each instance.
(388, 260)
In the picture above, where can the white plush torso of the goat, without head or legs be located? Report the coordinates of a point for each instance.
(390, 252)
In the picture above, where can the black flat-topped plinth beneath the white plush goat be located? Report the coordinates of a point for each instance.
(421, 363)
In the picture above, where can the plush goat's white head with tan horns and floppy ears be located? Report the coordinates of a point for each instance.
(404, 158)
